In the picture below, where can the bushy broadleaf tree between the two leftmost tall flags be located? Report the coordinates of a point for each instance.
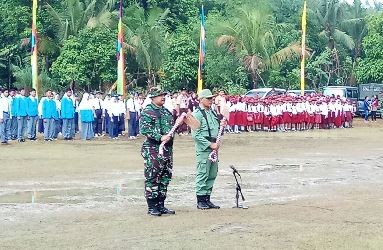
(88, 59)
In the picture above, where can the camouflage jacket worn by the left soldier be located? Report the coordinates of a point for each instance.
(155, 122)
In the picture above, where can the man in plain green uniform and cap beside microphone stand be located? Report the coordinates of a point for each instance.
(205, 141)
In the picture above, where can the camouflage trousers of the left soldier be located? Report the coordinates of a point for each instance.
(157, 171)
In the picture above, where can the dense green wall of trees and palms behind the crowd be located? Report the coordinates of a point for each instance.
(260, 43)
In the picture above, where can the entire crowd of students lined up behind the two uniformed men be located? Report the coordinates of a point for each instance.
(22, 115)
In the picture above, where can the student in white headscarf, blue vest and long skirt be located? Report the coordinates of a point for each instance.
(86, 117)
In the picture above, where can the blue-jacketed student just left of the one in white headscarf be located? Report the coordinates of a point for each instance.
(67, 115)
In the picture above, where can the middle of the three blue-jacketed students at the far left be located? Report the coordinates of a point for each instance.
(21, 106)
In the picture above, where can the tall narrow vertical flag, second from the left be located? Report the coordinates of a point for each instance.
(121, 86)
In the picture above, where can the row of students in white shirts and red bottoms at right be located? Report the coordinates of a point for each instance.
(288, 113)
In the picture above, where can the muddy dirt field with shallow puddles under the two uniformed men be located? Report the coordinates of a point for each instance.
(307, 190)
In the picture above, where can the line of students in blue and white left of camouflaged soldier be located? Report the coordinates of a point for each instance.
(20, 113)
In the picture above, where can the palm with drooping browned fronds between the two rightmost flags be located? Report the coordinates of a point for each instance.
(251, 37)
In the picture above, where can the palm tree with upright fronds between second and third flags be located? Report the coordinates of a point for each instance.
(146, 34)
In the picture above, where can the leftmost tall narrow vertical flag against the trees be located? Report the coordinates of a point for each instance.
(34, 63)
